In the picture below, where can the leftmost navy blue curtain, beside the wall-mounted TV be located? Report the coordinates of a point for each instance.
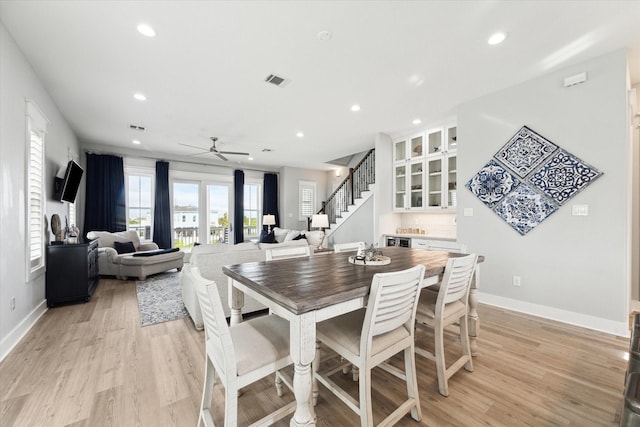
(105, 209)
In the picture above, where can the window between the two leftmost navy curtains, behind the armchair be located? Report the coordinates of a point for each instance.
(140, 199)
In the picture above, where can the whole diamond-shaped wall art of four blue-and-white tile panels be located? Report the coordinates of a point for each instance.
(530, 178)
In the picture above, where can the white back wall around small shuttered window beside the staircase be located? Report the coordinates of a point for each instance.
(289, 194)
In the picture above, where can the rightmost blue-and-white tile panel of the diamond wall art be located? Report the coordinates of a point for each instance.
(563, 176)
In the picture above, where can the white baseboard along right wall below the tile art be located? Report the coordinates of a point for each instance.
(570, 317)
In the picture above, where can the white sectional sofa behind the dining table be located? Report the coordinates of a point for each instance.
(211, 258)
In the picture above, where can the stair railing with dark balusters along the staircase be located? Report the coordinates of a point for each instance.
(351, 188)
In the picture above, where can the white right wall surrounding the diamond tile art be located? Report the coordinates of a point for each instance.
(572, 268)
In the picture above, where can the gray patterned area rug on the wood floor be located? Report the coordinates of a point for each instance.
(160, 299)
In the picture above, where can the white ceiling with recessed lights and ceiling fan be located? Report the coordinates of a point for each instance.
(203, 74)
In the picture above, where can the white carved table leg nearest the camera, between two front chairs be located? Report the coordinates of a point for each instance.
(303, 350)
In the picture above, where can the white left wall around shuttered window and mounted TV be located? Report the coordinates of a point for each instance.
(17, 83)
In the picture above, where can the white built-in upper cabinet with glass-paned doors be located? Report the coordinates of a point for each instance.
(425, 170)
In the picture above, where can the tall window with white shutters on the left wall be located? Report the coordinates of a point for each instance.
(36, 131)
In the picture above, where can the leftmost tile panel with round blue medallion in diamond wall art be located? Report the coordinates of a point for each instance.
(492, 183)
